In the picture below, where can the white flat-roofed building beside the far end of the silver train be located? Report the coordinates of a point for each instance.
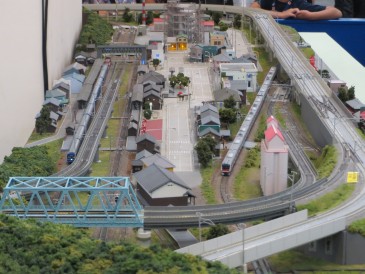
(240, 71)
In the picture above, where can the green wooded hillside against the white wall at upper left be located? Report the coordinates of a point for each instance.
(96, 30)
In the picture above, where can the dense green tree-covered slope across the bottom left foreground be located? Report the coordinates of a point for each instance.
(31, 247)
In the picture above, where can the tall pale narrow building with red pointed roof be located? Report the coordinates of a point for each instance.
(274, 160)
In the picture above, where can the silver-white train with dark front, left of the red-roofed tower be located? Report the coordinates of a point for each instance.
(242, 134)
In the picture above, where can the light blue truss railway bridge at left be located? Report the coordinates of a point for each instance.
(78, 201)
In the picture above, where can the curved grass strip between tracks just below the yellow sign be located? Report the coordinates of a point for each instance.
(329, 200)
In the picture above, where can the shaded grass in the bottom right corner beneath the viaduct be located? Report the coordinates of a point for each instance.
(292, 261)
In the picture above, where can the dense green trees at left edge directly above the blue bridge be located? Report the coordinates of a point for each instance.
(26, 162)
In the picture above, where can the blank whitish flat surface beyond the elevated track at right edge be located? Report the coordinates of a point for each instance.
(339, 61)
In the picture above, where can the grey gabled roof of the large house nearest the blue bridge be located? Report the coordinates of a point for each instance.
(155, 177)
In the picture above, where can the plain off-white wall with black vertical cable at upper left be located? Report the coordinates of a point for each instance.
(21, 77)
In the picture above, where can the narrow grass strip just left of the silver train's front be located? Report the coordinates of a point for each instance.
(206, 186)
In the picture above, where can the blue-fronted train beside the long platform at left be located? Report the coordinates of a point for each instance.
(88, 113)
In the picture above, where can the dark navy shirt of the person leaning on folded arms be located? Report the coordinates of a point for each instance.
(280, 6)
